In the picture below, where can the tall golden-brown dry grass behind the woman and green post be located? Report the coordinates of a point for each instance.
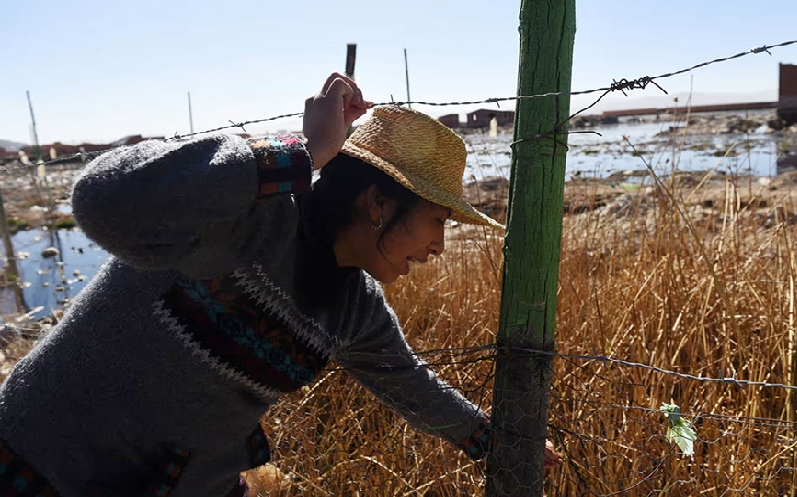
(696, 279)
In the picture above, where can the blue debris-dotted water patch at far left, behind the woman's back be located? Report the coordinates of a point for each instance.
(49, 282)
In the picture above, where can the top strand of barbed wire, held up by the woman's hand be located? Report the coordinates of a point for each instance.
(622, 86)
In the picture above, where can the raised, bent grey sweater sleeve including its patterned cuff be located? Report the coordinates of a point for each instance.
(186, 204)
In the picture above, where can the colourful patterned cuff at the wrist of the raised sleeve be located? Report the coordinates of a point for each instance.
(283, 165)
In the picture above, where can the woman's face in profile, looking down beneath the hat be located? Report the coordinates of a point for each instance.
(411, 240)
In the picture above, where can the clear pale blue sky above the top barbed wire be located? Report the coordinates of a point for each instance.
(101, 70)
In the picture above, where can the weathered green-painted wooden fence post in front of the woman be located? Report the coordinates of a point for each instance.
(531, 250)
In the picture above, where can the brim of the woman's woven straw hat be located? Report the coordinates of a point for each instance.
(461, 211)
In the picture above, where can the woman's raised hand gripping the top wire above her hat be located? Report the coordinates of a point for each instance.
(328, 116)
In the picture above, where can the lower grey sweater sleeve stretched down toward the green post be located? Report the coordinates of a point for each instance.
(380, 359)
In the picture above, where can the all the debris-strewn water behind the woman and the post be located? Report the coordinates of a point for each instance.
(50, 282)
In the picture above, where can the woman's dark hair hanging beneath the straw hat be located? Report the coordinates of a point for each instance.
(327, 209)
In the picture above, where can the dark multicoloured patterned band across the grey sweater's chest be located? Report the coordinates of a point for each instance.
(232, 327)
